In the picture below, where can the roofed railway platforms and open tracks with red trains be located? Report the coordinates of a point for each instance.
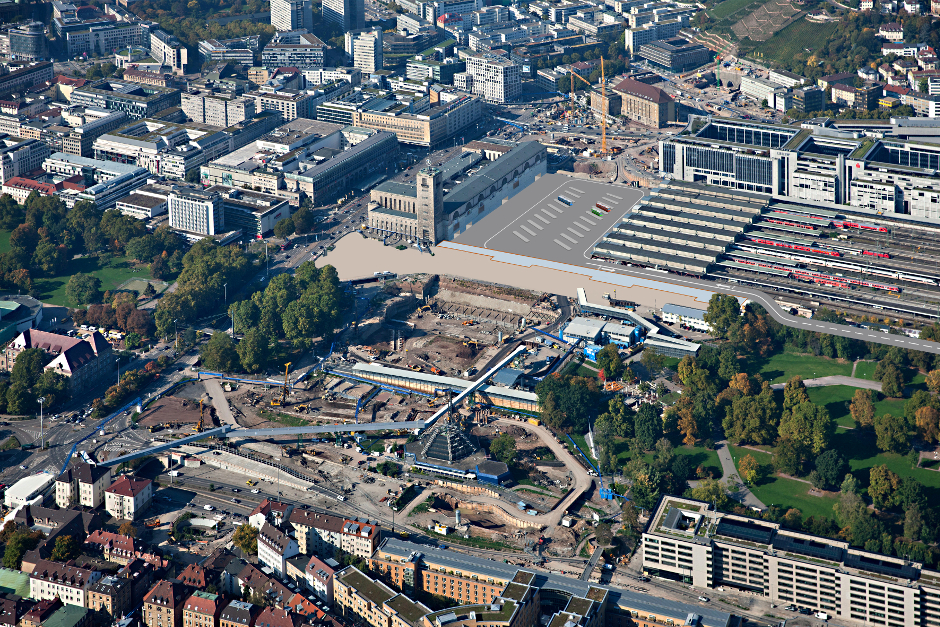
(842, 256)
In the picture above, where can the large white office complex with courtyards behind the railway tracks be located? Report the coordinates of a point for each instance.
(820, 164)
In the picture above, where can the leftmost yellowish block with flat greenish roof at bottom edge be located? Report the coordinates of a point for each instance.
(363, 599)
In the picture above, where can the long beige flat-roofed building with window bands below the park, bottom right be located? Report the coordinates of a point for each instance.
(690, 542)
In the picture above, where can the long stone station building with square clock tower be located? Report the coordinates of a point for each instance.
(424, 213)
